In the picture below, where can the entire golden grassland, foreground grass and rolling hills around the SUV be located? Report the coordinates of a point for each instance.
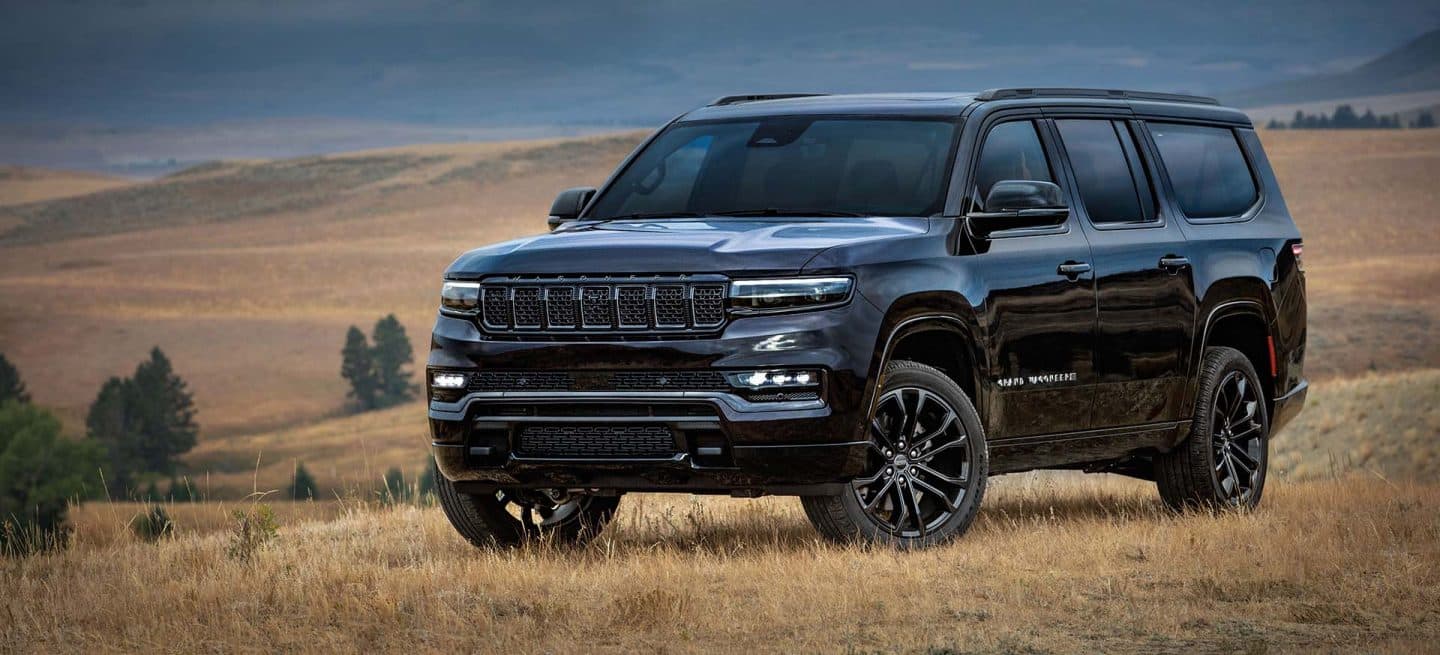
(247, 274)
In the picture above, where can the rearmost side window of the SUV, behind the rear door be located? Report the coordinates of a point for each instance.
(1207, 169)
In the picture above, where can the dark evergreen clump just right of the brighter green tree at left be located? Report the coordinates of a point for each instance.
(145, 423)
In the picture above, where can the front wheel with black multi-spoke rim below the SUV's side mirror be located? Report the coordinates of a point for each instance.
(938, 497)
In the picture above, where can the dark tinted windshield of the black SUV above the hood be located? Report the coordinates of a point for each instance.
(787, 166)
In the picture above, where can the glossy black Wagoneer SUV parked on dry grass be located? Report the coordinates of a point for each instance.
(873, 303)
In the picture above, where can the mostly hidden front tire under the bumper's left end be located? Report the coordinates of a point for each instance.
(512, 518)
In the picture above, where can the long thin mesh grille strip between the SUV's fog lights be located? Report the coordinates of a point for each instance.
(631, 381)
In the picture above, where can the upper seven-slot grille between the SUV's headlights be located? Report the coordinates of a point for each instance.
(604, 304)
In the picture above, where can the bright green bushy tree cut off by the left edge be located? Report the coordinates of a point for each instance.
(40, 476)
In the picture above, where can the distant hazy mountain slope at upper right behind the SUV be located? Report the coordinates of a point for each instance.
(1412, 68)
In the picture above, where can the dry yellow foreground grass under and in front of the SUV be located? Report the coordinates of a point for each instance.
(1053, 565)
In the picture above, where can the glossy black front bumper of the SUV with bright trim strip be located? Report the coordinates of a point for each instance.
(724, 443)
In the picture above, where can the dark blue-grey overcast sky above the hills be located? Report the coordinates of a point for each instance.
(483, 64)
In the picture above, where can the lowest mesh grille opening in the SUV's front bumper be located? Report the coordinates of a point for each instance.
(597, 441)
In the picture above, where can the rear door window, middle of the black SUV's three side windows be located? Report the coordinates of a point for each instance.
(1110, 173)
